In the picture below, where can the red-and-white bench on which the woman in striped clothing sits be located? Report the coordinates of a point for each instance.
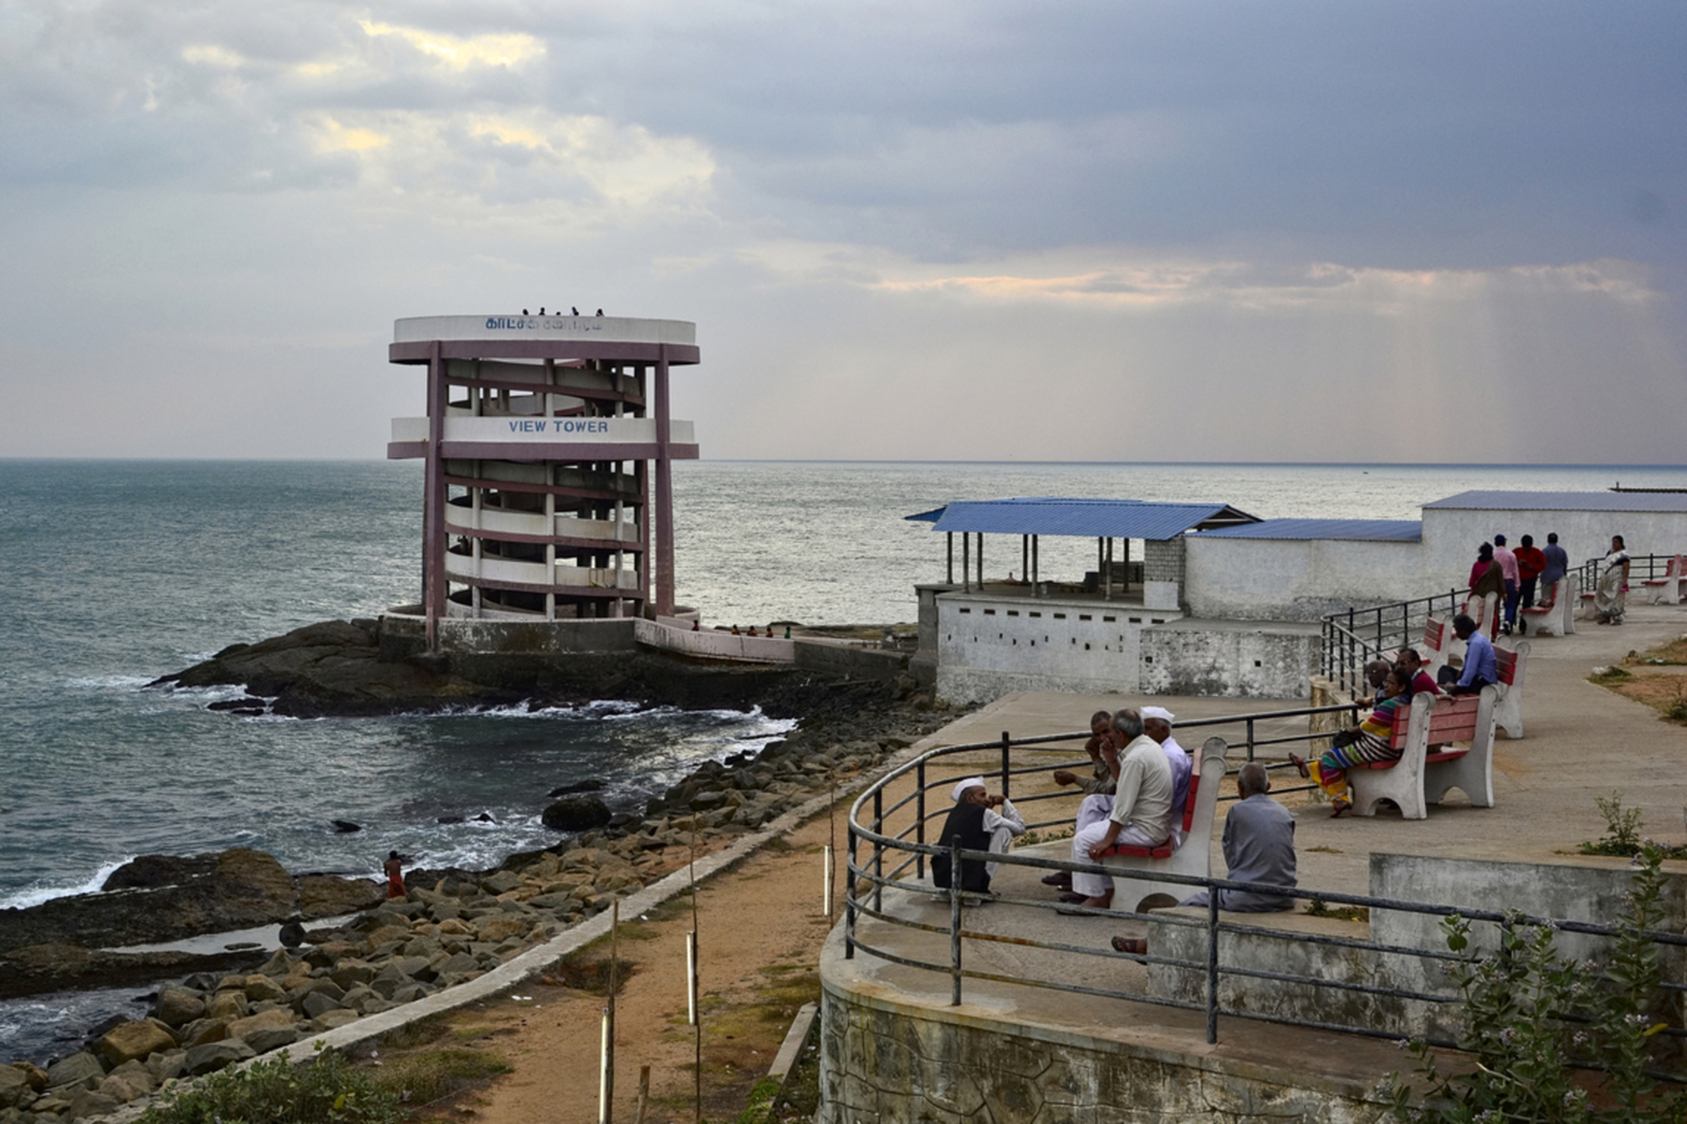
(1420, 777)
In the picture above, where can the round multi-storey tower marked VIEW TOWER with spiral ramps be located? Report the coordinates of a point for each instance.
(546, 440)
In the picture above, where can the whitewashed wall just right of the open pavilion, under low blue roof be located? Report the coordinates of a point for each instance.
(1275, 580)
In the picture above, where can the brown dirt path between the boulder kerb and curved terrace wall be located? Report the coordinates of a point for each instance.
(760, 934)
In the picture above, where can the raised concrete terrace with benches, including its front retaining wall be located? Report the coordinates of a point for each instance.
(1021, 1052)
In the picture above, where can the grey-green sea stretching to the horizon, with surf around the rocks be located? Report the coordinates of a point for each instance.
(116, 573)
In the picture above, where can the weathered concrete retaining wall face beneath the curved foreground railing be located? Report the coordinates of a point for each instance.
(888, 1057)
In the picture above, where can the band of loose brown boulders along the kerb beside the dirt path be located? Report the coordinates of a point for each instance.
(455, 926)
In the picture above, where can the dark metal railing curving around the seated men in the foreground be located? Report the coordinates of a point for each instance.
(905, 850)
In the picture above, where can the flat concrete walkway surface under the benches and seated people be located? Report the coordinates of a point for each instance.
(1582, 742)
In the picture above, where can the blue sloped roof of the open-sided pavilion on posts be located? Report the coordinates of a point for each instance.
(1091, 519)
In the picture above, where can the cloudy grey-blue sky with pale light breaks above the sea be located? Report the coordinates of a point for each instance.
(1043, 232)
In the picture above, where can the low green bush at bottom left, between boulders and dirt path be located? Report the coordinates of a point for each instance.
(274, 1091)
